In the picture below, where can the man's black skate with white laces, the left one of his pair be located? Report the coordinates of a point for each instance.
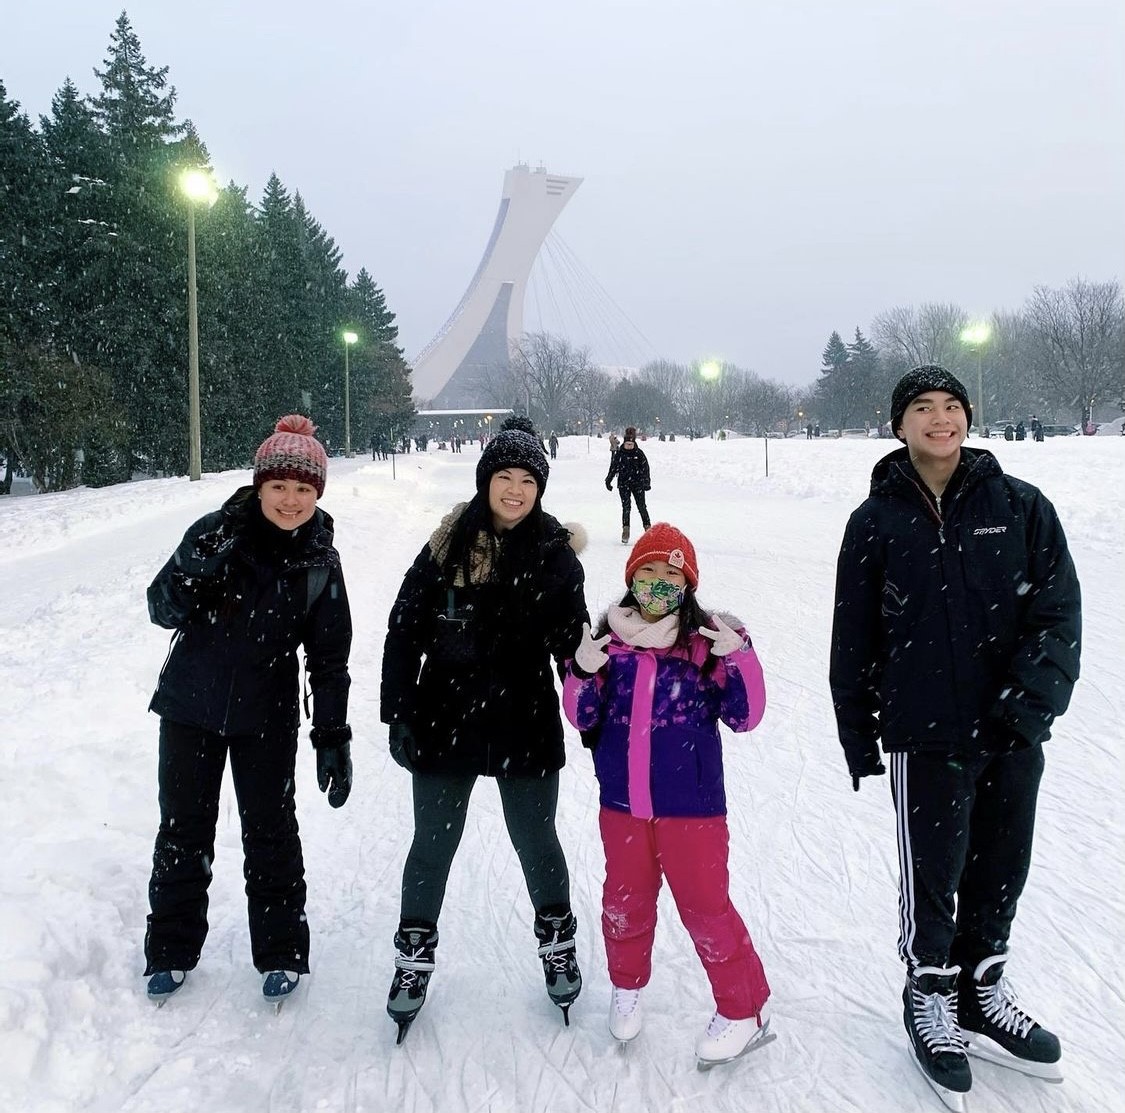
(930, 1011)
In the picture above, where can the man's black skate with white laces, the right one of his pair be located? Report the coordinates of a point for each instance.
(997, 1029)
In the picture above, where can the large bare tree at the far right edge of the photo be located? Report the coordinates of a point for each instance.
(1079, 331)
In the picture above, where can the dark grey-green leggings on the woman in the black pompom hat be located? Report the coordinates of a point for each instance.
(442, 805)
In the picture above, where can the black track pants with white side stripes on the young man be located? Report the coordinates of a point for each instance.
(965, 829)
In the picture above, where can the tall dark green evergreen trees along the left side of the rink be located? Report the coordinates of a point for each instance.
(94, 309)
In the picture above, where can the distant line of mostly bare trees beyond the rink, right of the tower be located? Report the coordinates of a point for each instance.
(1063, 357)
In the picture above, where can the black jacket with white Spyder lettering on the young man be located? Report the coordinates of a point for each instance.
(958, 622)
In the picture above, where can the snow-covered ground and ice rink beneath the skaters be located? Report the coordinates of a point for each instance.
(813, 864)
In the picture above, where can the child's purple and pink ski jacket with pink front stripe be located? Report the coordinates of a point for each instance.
(656, 714)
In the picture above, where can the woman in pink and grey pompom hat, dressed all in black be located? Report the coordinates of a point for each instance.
(249, 586)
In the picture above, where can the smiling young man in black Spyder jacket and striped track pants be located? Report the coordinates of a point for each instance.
(956, 644)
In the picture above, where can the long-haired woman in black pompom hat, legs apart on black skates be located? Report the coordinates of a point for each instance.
(469, 692)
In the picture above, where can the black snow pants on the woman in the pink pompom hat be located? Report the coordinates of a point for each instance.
(263, 768)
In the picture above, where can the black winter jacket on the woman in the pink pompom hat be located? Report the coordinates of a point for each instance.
(237, 591)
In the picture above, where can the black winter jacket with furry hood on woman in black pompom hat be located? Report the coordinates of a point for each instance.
(469, 668)
